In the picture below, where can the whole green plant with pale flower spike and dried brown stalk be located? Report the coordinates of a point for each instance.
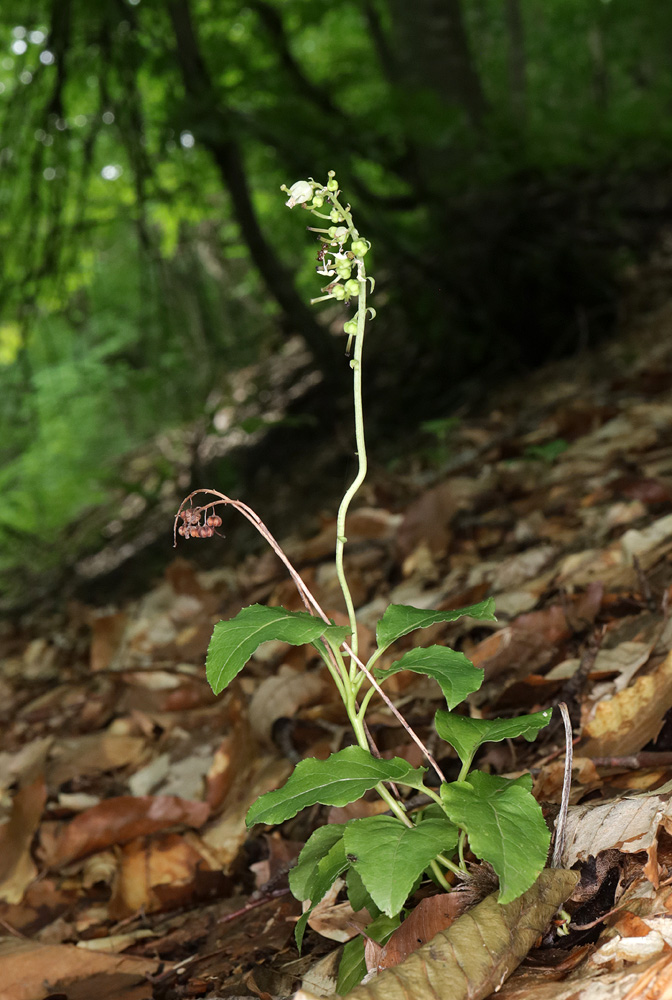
(382, 858)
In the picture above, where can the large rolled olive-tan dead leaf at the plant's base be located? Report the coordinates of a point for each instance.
(478, 953)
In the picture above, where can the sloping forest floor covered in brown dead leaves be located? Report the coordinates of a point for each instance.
(126, 868)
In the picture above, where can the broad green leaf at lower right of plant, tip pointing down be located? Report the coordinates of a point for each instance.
(505, 826)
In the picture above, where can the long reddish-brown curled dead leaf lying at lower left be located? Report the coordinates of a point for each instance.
(118, 820)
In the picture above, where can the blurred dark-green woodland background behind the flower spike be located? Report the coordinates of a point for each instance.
(509, 160)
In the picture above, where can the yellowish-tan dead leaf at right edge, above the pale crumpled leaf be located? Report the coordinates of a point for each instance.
(632, 718)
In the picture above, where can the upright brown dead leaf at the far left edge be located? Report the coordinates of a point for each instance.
(17, 869)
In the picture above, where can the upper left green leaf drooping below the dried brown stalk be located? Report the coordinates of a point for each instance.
(233, 642)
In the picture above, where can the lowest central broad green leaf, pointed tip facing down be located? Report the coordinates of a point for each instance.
(391, 856)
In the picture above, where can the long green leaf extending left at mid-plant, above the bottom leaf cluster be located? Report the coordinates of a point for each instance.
(342, 778)
